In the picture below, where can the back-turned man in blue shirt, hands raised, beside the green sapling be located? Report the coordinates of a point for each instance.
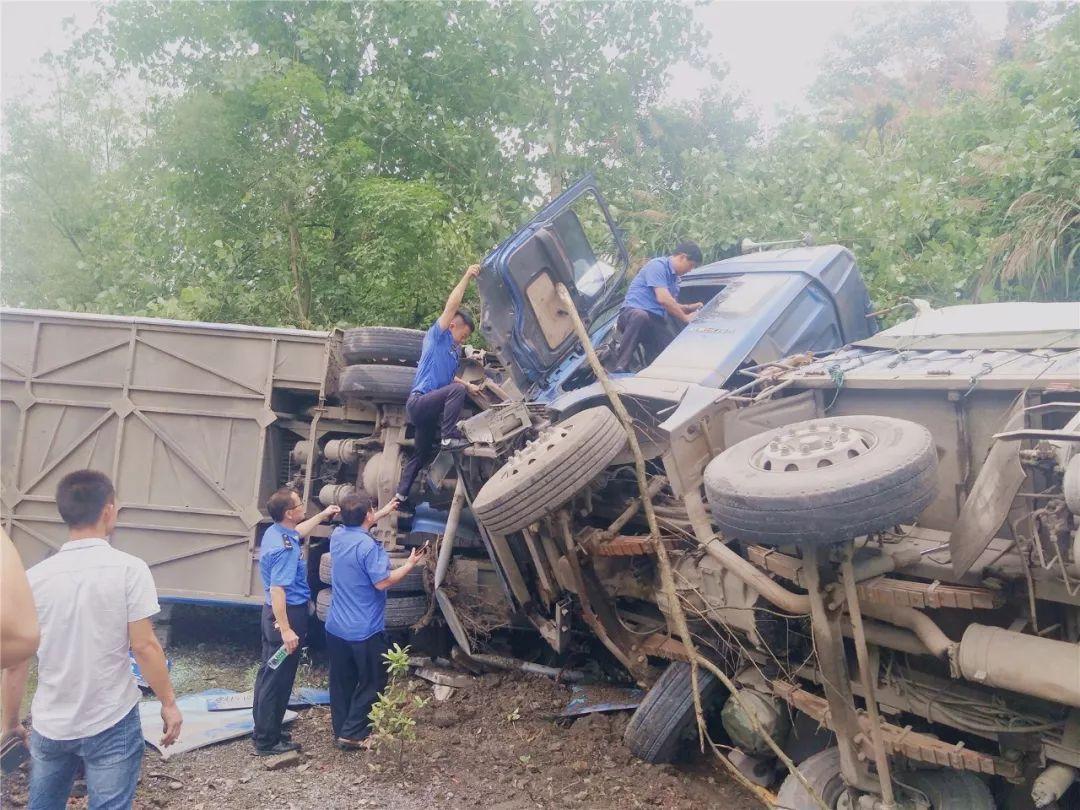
(356, 626)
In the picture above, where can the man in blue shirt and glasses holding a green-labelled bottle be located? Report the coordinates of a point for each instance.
(285, 615)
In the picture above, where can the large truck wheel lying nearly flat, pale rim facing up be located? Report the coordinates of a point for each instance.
(822, 481)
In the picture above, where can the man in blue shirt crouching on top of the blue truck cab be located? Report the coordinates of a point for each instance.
(653, 294)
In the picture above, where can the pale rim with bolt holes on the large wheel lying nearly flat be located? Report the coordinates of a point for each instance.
(814, 447)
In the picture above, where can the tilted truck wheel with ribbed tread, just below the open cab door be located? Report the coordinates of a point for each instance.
(549, 471)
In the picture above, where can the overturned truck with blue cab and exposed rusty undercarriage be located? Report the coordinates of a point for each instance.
(882, 542)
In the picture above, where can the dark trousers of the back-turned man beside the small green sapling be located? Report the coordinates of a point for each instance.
(358, 676)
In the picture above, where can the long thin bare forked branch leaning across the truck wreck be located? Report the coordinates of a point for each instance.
(668, 579)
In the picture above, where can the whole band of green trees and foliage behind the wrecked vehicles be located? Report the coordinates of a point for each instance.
(323, 164)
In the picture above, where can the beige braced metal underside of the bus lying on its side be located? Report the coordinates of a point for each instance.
(175, 414)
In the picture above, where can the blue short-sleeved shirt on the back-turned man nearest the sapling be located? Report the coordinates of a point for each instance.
(358, 611)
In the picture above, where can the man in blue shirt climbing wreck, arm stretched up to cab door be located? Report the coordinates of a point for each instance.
(438, 397)
